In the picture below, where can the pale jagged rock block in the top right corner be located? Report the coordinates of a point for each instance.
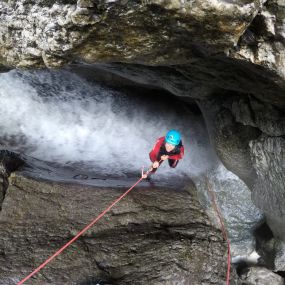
(263, 41)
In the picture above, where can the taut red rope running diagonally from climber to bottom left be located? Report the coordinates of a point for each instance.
(78, 235)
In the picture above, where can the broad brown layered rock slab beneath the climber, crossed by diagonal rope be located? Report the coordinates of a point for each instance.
(154, 236)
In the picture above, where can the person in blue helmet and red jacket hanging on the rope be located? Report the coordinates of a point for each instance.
(169, 147)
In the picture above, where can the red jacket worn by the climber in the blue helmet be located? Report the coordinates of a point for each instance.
(159, 150)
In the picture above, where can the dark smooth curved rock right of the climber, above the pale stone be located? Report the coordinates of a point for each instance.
(230, 139)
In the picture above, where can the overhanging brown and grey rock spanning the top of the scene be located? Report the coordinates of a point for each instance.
(218, 44)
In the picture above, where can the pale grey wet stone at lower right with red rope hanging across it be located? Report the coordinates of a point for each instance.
(241, 217)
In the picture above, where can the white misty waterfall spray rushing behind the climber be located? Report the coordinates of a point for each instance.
(57, 116)
